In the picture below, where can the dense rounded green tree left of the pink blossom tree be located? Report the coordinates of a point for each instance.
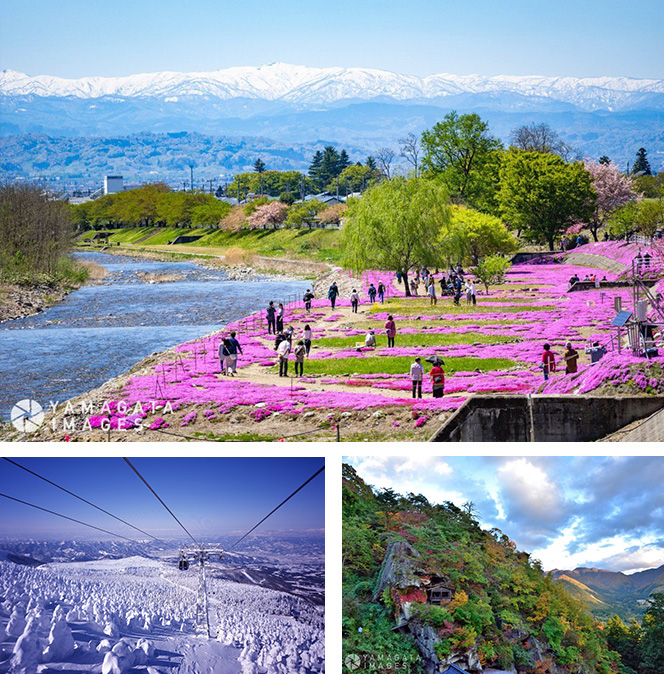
(541, 195)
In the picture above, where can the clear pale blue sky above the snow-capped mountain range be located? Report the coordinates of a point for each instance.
(76, 38)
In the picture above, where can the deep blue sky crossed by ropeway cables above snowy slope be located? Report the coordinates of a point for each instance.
(208, 495)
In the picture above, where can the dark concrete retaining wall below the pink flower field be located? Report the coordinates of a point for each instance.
(542, 418)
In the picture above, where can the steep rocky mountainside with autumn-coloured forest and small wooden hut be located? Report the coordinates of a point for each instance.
(497, 608)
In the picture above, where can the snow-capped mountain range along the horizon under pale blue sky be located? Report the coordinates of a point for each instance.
(307, 87)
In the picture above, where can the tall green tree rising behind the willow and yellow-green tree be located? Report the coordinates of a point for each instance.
(462, 152)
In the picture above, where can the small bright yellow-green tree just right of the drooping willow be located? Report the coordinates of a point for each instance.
(472, 235)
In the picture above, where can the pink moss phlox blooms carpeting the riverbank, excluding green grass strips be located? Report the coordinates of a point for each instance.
(556, 316)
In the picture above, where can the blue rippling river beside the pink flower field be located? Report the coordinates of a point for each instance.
(101, 331)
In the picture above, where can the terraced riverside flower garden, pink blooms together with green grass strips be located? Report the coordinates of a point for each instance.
(494, 347)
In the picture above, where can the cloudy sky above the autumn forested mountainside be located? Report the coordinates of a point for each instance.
(604, 512)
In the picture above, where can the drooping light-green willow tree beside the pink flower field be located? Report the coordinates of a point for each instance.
(394, 225)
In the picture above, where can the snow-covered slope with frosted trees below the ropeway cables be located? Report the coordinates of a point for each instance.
(138, 615)
